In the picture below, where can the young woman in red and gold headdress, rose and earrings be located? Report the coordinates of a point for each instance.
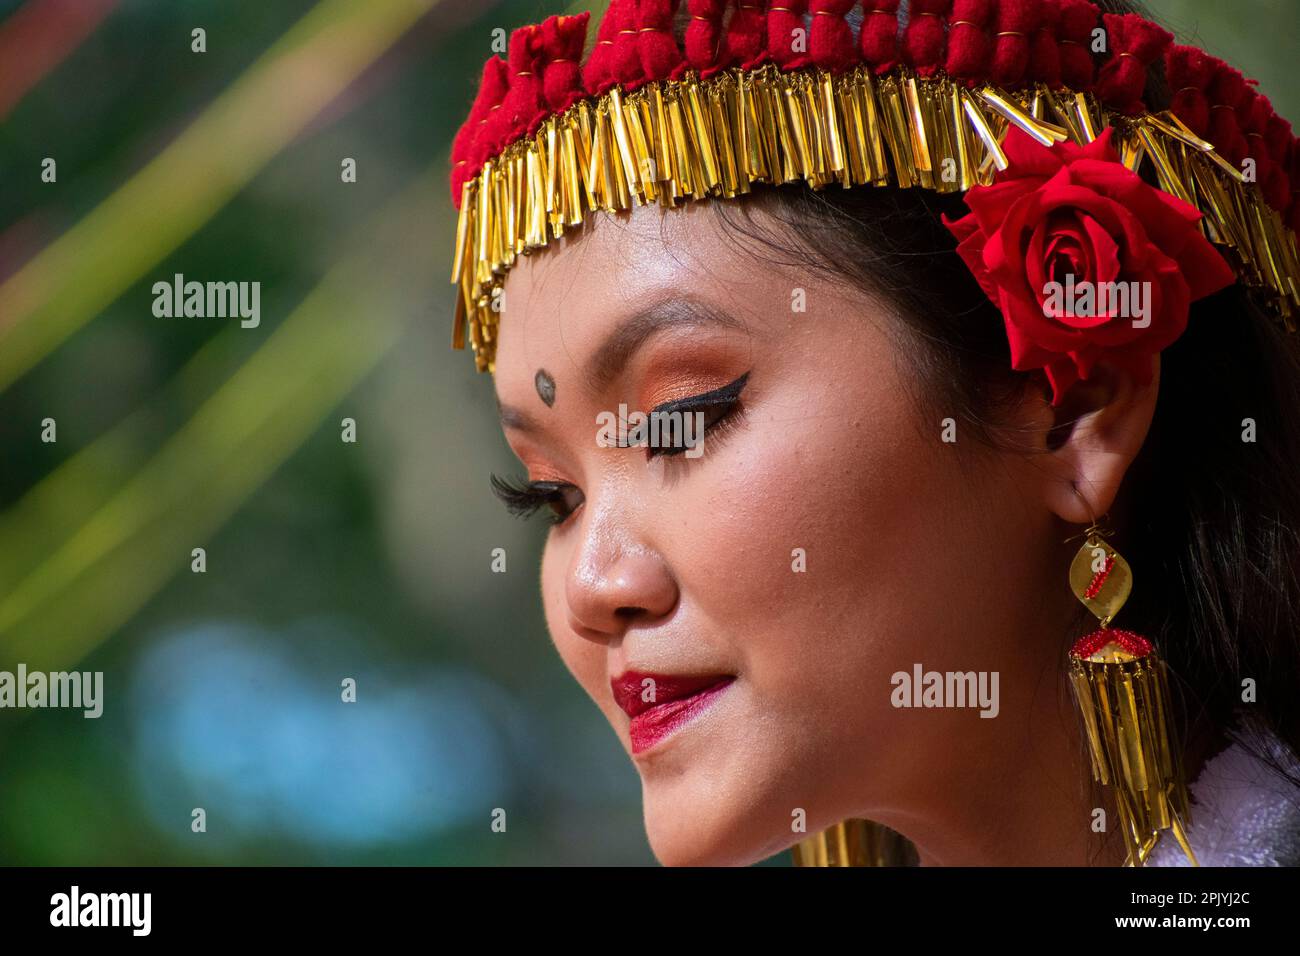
(959, 569)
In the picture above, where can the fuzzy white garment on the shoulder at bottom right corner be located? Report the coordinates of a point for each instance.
(1245, 814)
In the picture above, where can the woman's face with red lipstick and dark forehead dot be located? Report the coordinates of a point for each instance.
(739, 611)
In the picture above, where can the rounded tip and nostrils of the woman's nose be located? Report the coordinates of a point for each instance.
(609, 589)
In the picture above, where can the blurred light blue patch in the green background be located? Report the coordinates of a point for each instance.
(250, 725)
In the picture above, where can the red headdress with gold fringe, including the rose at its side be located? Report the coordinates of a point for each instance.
(933, 94)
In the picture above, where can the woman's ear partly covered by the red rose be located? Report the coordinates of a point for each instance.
(1091, 439)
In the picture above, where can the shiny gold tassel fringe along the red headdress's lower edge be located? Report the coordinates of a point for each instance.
(691, 139)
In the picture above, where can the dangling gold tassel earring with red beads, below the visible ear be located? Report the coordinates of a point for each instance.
(1123, 693)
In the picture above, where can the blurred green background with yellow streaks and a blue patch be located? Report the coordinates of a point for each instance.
(326, 560)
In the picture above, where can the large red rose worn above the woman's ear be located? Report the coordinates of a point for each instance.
(1073, 211)
